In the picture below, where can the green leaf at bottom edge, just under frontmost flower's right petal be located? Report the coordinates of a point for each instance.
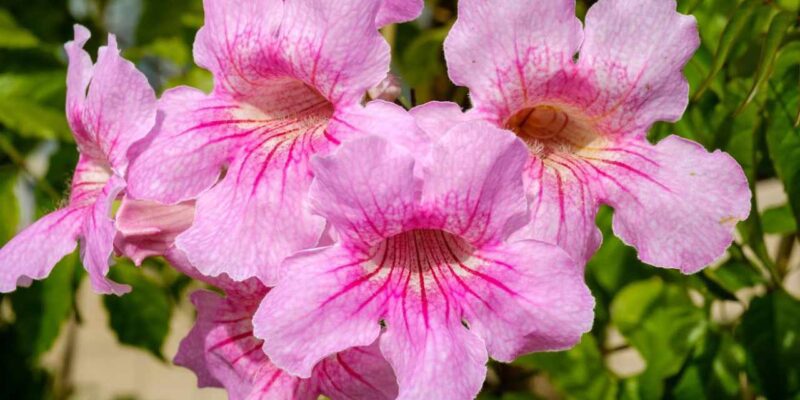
(579, 373)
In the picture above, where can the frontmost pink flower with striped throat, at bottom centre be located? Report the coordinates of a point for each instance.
(424, 249)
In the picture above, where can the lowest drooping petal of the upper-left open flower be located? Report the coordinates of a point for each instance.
(256, 216)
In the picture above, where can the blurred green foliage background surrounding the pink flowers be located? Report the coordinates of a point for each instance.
(729, 332)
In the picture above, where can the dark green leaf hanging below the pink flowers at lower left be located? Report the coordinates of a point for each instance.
(141, 317)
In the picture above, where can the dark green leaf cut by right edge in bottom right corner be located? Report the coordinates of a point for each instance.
(771, 337)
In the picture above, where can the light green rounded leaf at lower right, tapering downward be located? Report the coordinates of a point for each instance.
(662, 323)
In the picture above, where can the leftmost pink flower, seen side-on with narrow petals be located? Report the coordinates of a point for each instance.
(119, 109)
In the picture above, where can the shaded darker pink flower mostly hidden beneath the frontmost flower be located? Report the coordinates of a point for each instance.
(223, 352)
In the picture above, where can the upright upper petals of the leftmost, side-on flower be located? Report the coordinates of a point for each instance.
(119, 109)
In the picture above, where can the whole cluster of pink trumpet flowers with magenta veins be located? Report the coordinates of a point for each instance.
(368, 251)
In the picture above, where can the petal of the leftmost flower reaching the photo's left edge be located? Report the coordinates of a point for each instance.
(35, 250)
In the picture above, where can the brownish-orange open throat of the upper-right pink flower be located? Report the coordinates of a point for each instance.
(549, 129)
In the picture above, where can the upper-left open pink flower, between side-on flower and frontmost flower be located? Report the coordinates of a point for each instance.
(286, 74)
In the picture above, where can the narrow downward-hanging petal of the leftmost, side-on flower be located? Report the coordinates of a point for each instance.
(97, 242)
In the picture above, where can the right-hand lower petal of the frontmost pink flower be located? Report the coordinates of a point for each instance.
(531, 297)
